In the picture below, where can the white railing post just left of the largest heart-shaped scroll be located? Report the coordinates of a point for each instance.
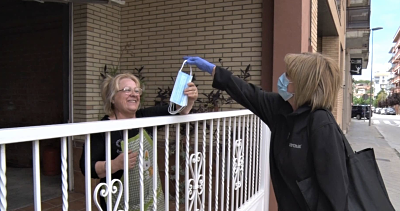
(88, 185)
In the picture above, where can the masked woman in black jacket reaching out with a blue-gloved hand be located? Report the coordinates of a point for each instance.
(307, 156)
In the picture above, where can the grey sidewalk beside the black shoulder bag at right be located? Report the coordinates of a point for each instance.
(362, 136)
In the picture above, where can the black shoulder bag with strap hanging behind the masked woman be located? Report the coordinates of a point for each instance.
(367, 191)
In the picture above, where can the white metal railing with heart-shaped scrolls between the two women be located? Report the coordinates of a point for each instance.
(239, 180)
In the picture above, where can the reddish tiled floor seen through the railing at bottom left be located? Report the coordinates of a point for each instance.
(76, 202)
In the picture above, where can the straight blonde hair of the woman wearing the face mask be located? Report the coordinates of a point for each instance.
(317, 79)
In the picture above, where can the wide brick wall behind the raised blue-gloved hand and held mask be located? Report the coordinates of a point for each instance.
(162, 32)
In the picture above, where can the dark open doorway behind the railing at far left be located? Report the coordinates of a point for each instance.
(34, 72)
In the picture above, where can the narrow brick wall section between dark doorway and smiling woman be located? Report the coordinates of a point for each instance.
(96, 43)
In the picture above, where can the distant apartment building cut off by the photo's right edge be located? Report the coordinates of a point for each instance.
(395, 60)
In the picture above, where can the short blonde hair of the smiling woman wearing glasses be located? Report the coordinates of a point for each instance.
(110, 87)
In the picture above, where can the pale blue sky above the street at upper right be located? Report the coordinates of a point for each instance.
(384, 13)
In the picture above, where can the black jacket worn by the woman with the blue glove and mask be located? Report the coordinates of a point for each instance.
(307, 159)
